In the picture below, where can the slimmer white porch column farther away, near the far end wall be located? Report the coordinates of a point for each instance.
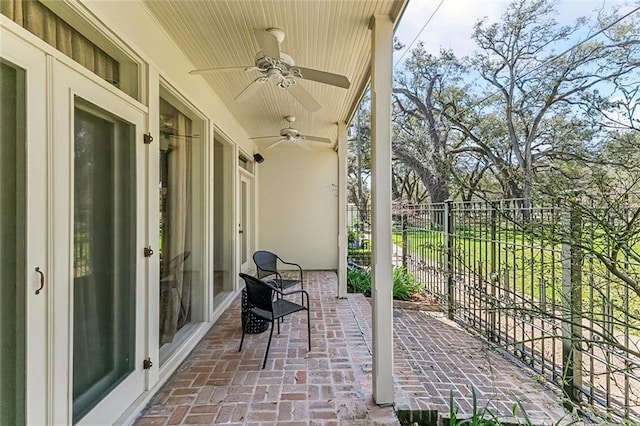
(342, 210)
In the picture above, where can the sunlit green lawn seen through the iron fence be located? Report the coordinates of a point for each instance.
(526, 266)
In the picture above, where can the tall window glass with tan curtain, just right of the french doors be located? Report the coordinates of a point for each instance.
(181, 224)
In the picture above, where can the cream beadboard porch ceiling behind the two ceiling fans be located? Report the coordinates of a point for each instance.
(328, 35)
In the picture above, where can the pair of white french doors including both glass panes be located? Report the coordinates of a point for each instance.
(73, 334)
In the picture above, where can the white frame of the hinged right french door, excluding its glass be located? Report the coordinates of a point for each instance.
(68, 83)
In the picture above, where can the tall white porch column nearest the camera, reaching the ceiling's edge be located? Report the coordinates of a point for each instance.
(381, 282)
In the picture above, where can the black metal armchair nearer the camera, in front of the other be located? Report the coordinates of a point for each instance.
(263, 304)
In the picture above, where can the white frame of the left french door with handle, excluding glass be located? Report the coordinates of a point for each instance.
(37, 365)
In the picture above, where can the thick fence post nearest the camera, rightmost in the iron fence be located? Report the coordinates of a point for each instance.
(572, 307)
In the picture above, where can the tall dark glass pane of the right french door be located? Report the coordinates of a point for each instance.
(104, 255)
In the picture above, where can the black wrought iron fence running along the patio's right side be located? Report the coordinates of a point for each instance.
(557, 289)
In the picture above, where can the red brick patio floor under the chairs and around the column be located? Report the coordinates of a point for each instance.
(331, 385)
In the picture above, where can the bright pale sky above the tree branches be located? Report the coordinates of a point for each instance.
(452, 24)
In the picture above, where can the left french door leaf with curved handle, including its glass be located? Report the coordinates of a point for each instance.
(24, 266)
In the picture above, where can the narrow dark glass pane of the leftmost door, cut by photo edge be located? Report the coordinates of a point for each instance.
(12, 249)
